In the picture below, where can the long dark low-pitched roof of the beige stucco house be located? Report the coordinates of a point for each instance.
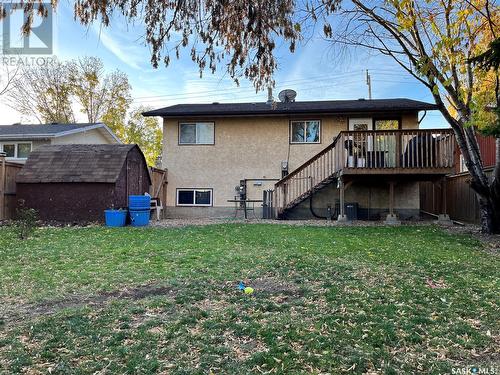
(312, 107)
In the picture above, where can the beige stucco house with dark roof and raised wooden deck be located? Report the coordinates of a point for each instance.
(317, 157)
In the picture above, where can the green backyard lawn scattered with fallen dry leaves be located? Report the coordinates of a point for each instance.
(327, 300)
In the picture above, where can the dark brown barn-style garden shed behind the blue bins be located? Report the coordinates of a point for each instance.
(76, 183)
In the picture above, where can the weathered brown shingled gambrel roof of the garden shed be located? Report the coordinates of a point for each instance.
(74, 163)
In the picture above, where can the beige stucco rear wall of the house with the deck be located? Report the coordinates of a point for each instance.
(245, 148)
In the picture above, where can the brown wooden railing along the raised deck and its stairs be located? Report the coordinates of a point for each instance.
(381, 151)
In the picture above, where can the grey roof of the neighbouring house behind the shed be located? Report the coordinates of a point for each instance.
(44, 131)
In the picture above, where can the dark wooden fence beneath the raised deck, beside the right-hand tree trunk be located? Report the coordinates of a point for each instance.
(461, 201)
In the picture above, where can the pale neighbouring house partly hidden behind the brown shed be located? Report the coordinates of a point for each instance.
(18, 140)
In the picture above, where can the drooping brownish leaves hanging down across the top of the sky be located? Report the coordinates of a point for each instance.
(238, 34)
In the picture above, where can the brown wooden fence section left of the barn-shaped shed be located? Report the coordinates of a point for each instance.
(8, 201)
